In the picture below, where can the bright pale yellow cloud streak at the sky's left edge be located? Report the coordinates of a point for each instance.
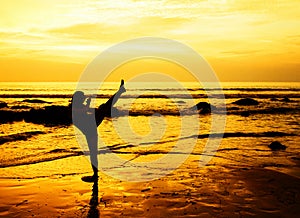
(43, 46)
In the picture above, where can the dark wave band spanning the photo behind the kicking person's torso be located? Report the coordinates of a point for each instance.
(62, 115)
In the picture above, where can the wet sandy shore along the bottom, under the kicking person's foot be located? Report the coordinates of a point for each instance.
(190, 191)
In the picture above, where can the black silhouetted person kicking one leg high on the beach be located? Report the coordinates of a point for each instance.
(88, 119)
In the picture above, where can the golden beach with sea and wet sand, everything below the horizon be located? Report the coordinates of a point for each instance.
(43, 157)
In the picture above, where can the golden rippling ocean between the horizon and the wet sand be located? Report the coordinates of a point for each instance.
(148, 126)
